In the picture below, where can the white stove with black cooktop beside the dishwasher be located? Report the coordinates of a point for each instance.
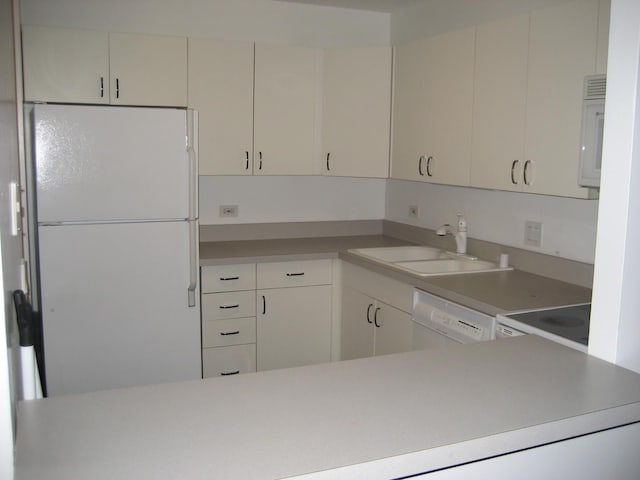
(567, 325)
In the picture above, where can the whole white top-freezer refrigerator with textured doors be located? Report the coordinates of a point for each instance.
(117, 233)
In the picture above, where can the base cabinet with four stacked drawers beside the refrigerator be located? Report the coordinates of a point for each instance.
(265, 316)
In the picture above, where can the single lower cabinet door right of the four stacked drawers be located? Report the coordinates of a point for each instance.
(293, 326)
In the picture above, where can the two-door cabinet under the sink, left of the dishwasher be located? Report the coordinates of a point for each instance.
(376, 314)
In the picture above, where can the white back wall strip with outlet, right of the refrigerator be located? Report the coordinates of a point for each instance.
(291, 199)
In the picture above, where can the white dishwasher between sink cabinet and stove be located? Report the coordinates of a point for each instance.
(438, 323)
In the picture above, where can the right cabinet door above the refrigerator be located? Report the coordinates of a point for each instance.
(148, 69)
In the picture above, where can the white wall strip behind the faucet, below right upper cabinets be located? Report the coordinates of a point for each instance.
(569, 225)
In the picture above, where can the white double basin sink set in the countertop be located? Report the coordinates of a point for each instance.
(427, 261)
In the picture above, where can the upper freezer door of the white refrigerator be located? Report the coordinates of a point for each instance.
(98, 163)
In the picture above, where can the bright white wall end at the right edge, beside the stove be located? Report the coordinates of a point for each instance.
(615, 314)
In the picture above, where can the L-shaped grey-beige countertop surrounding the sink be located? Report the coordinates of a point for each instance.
(490, 293)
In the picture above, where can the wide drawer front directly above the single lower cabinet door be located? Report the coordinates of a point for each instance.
(294, 274)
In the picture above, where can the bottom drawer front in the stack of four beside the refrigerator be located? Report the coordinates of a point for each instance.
(223, 361)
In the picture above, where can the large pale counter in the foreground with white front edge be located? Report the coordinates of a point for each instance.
(378, 417)
